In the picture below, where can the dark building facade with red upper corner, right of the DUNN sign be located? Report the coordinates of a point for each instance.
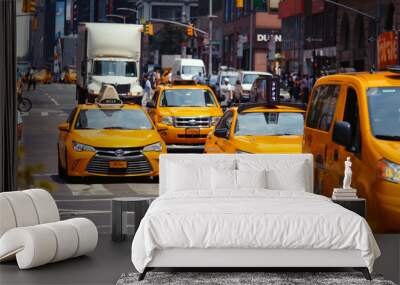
(324, 38)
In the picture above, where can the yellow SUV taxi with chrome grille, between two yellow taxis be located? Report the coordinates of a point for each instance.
(184, 113)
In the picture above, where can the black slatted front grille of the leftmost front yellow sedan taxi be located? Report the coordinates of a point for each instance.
(137, 163)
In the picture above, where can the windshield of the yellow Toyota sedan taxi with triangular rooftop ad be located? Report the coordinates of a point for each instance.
(101, 119)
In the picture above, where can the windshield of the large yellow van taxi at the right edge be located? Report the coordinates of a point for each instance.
(384, 112)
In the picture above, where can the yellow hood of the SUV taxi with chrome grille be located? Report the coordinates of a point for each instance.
(191, 111)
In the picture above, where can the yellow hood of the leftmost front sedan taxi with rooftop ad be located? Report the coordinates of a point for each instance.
(116, 138)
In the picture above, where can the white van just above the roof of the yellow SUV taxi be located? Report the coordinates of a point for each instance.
(187, 69)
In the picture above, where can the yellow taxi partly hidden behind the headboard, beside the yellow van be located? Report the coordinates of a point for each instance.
(258, 128)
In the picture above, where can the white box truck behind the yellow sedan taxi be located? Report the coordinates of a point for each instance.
(108, 54)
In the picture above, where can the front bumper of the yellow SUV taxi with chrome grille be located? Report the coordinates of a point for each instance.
(180, 136)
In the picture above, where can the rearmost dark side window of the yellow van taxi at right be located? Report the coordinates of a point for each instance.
(323, 107)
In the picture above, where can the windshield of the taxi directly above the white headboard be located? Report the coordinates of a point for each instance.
(269, 124)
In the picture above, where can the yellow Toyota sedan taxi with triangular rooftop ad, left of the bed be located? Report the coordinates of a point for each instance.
(109, 138)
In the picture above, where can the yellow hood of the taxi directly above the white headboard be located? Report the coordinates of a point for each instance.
(269, 144)
